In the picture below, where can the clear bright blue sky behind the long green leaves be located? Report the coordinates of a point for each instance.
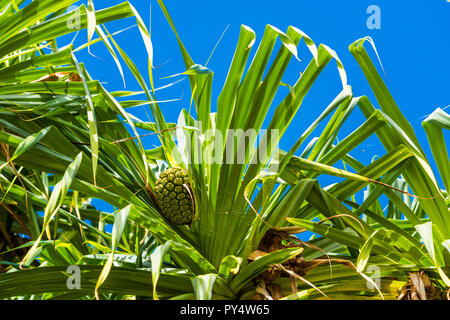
(413, 43)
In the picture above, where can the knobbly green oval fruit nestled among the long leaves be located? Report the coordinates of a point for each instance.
(174, 196)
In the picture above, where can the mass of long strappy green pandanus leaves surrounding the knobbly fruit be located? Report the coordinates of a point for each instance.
(73, 141)
